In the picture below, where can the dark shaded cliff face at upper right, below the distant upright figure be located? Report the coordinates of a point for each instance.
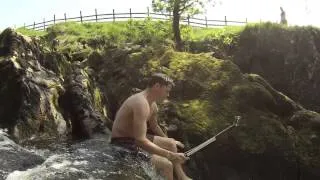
(287, 59)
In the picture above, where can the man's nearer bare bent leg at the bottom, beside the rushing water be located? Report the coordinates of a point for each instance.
(163, 165)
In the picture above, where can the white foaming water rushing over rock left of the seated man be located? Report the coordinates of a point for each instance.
(90, 159)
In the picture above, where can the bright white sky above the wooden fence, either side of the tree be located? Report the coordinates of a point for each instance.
(15, 13)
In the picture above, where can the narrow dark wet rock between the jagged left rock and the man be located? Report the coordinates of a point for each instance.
(78, 108)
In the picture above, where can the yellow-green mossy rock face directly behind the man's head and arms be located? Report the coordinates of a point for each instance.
(204, 88)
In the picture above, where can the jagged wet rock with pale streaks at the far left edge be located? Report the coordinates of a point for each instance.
(28, 90)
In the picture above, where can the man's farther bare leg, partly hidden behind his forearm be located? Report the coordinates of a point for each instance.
(170, 144)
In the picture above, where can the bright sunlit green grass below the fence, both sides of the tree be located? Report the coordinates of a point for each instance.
(133, 31)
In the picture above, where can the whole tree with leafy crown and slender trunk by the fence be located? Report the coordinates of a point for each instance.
(178, 8)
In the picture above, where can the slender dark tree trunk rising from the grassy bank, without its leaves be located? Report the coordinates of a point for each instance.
(176, 25)
